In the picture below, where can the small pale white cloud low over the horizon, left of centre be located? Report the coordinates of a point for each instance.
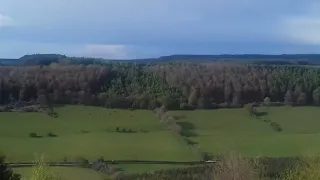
(106, 51)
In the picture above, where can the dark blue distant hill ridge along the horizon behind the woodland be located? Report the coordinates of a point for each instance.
(285, 59)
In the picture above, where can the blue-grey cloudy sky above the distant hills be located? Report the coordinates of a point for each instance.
(126, 29)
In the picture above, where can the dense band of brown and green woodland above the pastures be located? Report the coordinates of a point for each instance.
(174, 85)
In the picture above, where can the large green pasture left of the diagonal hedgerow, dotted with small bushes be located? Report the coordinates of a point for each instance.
(157, 144)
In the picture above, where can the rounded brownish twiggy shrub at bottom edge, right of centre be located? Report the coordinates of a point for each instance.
(234, 167)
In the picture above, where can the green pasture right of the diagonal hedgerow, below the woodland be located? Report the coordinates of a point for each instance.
(224, 130)
